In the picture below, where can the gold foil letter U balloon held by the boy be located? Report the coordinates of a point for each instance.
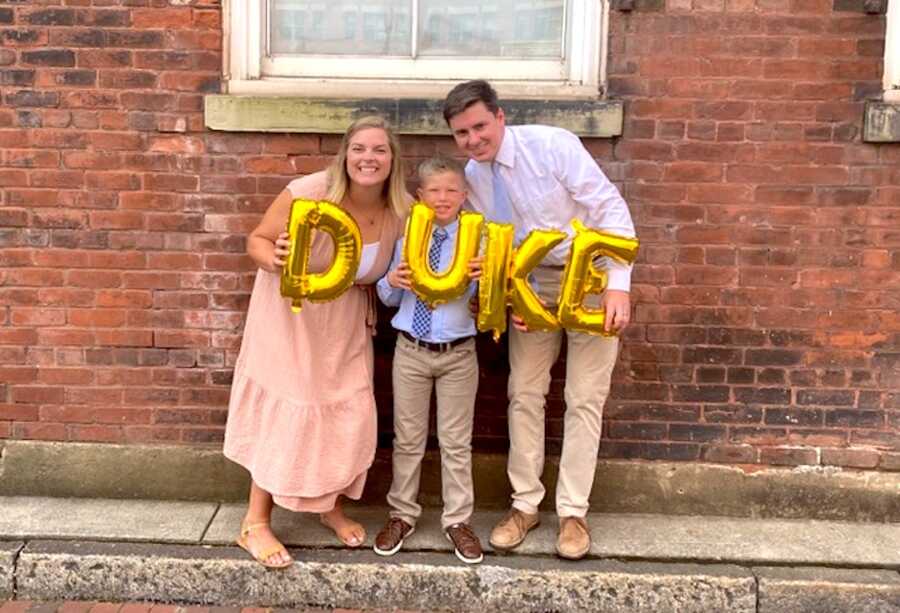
(438, 288)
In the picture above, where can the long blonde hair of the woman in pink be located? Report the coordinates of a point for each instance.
(395, 186)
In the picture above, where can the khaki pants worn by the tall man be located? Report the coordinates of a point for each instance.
(589, 364)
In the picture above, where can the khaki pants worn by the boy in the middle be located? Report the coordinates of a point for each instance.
(454, 374)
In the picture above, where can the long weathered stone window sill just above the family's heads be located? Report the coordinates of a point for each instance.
(587, 118)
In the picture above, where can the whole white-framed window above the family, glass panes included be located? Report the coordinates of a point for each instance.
(550, 47)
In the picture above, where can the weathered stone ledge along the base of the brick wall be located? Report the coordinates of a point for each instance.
(91, 470)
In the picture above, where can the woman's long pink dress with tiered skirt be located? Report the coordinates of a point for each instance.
(302, 415)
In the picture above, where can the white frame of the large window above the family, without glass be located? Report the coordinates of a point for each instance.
(249, 71)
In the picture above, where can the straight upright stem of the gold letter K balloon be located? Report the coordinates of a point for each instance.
(493, 284)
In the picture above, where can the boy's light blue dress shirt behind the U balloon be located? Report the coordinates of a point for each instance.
(449, 321)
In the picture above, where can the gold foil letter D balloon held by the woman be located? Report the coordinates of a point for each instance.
(297, 282)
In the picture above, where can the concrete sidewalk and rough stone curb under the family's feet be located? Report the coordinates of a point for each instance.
(127, 550)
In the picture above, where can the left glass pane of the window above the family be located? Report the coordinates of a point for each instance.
(341, 27)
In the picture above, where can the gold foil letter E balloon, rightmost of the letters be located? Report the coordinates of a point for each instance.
(581, 277)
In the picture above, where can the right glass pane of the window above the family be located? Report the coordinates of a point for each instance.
(491, 28)
